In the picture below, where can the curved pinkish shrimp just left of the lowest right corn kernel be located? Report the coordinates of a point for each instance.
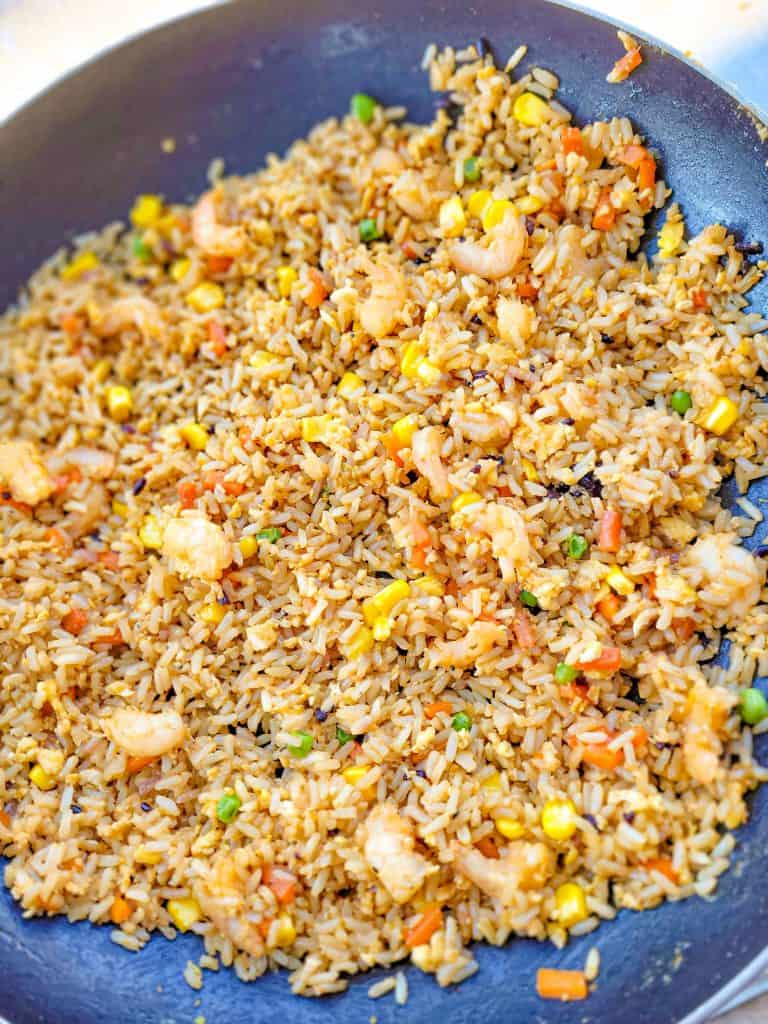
(523, 867)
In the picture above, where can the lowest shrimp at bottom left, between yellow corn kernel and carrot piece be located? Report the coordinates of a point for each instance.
(224, 898)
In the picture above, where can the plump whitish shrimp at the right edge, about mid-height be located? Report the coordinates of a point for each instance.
(732, 579)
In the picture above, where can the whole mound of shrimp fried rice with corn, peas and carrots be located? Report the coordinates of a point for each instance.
(363, 562)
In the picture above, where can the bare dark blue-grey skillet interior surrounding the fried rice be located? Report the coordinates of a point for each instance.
(241, 81)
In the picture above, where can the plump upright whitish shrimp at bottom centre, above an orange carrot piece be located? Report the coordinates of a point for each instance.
(390, 851)
